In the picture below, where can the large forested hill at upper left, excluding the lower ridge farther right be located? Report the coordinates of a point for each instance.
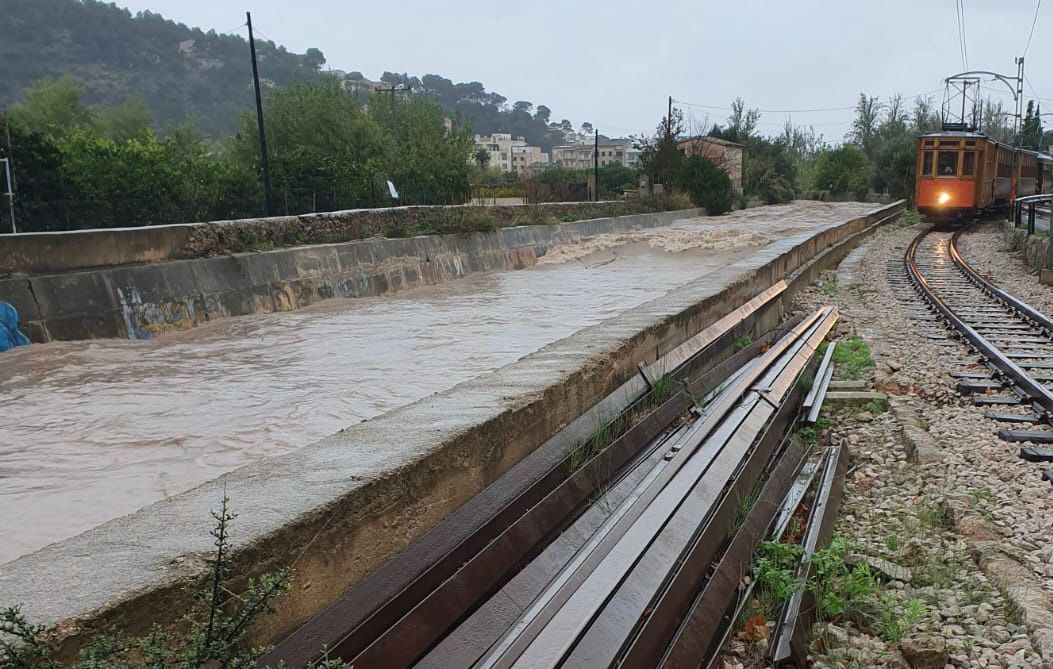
(180, 70)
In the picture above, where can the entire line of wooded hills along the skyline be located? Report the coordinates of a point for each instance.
(186, 72)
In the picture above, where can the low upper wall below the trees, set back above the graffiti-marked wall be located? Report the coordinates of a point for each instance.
(46, 253)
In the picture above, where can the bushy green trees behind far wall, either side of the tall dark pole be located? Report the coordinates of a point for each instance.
(82, 167)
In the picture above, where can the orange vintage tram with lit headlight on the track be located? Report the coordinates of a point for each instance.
(961, 174)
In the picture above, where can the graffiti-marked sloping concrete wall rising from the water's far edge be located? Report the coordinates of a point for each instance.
(148, 300)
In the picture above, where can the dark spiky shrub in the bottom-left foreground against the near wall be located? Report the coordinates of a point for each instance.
(212, 634)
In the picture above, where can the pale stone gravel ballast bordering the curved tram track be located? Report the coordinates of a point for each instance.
(949, 516)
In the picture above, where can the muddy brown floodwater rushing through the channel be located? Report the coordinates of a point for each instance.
(94, 430)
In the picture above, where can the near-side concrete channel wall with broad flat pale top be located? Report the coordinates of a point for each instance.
(340, 508)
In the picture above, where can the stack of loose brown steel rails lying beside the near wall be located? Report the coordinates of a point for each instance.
(630, 555)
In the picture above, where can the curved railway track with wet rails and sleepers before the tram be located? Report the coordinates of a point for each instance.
(1012, 371)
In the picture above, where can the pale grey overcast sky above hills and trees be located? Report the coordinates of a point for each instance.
(614, 63)
